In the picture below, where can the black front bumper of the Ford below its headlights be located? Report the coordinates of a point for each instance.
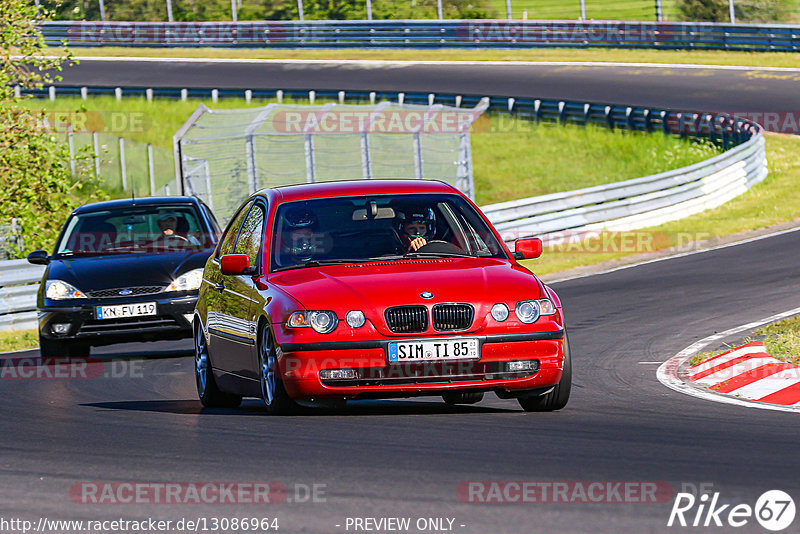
(172, 320)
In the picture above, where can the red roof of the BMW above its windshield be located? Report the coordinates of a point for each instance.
(290, 193)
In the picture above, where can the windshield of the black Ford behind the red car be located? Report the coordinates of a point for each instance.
(134, 229)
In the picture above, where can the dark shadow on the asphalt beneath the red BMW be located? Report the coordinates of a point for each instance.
(252, 407)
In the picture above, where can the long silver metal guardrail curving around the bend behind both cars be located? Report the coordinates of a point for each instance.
(619, 206)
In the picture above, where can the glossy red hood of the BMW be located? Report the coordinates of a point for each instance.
(373, 287)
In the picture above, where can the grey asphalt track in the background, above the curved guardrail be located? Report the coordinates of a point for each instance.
(701, 89)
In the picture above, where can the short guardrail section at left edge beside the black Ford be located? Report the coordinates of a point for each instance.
(18, 286)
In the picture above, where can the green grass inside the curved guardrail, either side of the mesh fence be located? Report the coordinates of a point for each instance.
(512, 158)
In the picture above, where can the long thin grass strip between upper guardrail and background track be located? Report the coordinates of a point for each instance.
(750, 59)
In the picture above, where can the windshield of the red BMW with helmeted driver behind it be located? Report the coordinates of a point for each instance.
(364, 228)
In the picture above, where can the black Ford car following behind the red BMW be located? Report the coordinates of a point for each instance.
(123, 270)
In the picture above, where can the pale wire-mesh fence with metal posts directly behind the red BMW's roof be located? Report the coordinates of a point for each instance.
(228, 154)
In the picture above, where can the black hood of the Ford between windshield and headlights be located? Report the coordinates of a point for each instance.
(89, 273)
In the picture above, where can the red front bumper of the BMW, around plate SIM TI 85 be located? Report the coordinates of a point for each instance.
(301, 363)
